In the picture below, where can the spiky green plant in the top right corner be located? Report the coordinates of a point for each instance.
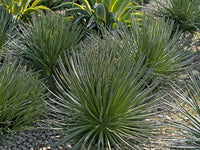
(185, 13)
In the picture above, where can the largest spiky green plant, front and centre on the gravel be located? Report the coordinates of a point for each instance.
(104, 100)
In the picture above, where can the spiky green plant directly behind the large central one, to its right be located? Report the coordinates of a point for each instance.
(163, 52)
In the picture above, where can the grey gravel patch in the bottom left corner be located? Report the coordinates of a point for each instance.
(33, 140)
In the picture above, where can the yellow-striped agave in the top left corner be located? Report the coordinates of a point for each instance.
(22, 8)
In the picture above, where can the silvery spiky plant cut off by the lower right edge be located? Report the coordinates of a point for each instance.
(187, 105)
